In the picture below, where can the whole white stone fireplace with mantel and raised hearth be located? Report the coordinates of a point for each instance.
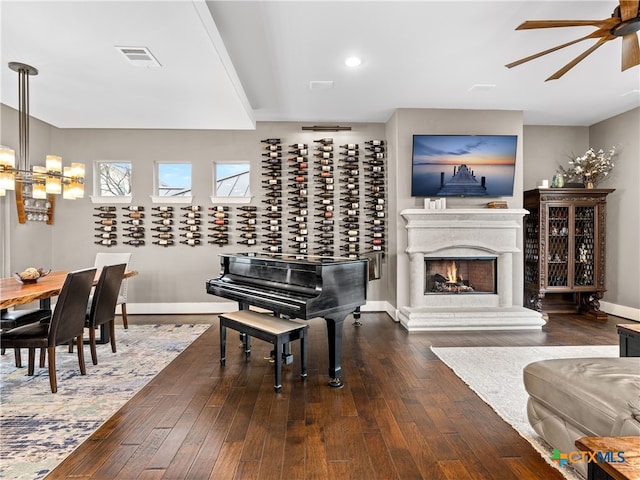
(484, 247)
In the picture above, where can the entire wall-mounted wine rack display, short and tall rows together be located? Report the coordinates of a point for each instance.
(319, 198)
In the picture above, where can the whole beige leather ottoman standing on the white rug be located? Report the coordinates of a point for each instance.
(583, 397)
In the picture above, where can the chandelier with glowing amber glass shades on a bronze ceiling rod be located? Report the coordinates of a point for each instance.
(50, 179)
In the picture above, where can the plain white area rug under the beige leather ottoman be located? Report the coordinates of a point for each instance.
(495, 374)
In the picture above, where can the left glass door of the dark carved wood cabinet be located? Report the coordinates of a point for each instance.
(558, 247)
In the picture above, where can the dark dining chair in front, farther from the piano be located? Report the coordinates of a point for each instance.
(66, 324)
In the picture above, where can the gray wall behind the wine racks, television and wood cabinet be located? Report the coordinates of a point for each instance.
(177, 274)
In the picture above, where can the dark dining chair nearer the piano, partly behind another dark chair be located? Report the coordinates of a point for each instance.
(102, 309)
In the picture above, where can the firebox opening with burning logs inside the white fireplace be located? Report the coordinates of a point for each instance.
(460, 275)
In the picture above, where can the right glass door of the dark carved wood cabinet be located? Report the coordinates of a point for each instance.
(584, 248)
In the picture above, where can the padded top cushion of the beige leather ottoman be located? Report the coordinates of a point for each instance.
(596, 395)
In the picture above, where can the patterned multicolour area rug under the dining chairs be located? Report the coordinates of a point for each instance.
(39, 429)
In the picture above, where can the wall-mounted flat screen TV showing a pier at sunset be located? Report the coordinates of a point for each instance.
(463, 165)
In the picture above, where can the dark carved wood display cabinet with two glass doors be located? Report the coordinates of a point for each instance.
(564, 250)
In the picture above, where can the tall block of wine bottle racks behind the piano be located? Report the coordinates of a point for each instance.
(339, 211)
